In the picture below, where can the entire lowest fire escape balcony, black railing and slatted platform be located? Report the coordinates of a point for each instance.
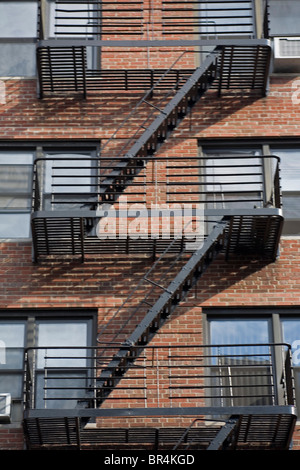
(212, 397)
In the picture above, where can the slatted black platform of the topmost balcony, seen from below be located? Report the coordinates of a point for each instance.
(62, 68)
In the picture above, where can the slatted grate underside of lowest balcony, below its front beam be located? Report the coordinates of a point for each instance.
(269, 432)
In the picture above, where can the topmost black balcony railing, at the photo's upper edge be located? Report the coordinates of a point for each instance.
(137, 19)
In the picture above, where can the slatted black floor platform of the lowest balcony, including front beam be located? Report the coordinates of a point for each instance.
(258, 428)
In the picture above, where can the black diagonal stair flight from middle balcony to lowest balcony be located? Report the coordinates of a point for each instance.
(162, 309)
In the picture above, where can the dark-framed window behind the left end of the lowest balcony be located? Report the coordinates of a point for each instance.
(48, 331)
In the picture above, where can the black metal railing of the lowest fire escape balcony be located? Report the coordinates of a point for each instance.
(237, 375)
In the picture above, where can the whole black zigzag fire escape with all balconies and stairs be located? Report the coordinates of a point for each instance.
(232, 64)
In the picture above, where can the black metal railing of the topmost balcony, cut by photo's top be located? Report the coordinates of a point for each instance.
(136, 17)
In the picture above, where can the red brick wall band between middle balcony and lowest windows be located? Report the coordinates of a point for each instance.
(103, 283)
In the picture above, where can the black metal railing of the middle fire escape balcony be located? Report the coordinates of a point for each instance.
(82, 183)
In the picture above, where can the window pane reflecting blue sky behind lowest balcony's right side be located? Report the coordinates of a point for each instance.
(241, 372)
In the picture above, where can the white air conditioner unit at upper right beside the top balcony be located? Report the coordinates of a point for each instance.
(287, 54)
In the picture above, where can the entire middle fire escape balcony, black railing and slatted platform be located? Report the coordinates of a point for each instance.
(79, 192)
